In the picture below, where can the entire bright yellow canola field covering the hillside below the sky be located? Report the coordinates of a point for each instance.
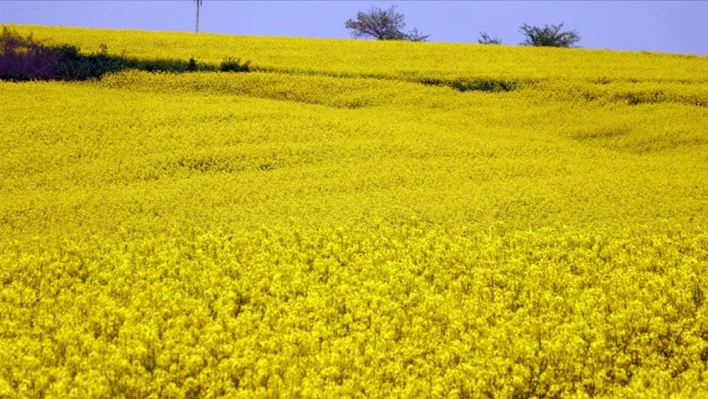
(355, 219)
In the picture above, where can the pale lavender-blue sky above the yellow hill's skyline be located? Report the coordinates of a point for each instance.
(667, 26)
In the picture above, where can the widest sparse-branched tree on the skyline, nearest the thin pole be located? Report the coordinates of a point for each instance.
(382, 24)
